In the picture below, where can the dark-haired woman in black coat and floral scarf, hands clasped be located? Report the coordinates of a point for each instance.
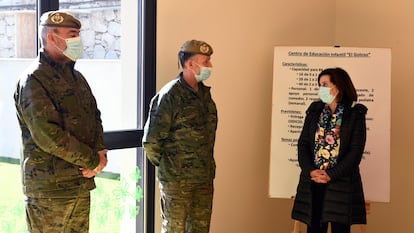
(330, 149)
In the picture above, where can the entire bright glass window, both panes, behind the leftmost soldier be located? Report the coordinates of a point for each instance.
(117, 202)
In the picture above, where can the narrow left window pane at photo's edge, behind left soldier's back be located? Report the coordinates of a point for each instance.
(17, 49)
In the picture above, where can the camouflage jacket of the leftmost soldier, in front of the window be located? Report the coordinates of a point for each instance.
(61, 129)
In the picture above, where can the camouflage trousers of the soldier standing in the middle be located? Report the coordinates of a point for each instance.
(186, 208)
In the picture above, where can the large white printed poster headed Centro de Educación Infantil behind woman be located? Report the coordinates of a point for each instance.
(295, 86)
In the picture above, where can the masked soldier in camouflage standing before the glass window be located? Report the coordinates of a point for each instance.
(62, 131)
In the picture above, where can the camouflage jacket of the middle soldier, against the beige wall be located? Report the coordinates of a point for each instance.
(180, 131)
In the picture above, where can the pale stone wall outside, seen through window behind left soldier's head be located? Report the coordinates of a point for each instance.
(100, 33)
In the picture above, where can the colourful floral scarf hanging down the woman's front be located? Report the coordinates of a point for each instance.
(327, 140)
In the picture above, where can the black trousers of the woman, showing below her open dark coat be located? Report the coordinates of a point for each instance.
(318, 195)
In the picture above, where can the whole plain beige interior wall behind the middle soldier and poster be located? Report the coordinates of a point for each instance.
(242, 35)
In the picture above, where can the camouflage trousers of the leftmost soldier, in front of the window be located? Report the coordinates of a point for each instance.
(53, 215)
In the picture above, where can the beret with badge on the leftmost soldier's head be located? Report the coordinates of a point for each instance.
(59, 19)
